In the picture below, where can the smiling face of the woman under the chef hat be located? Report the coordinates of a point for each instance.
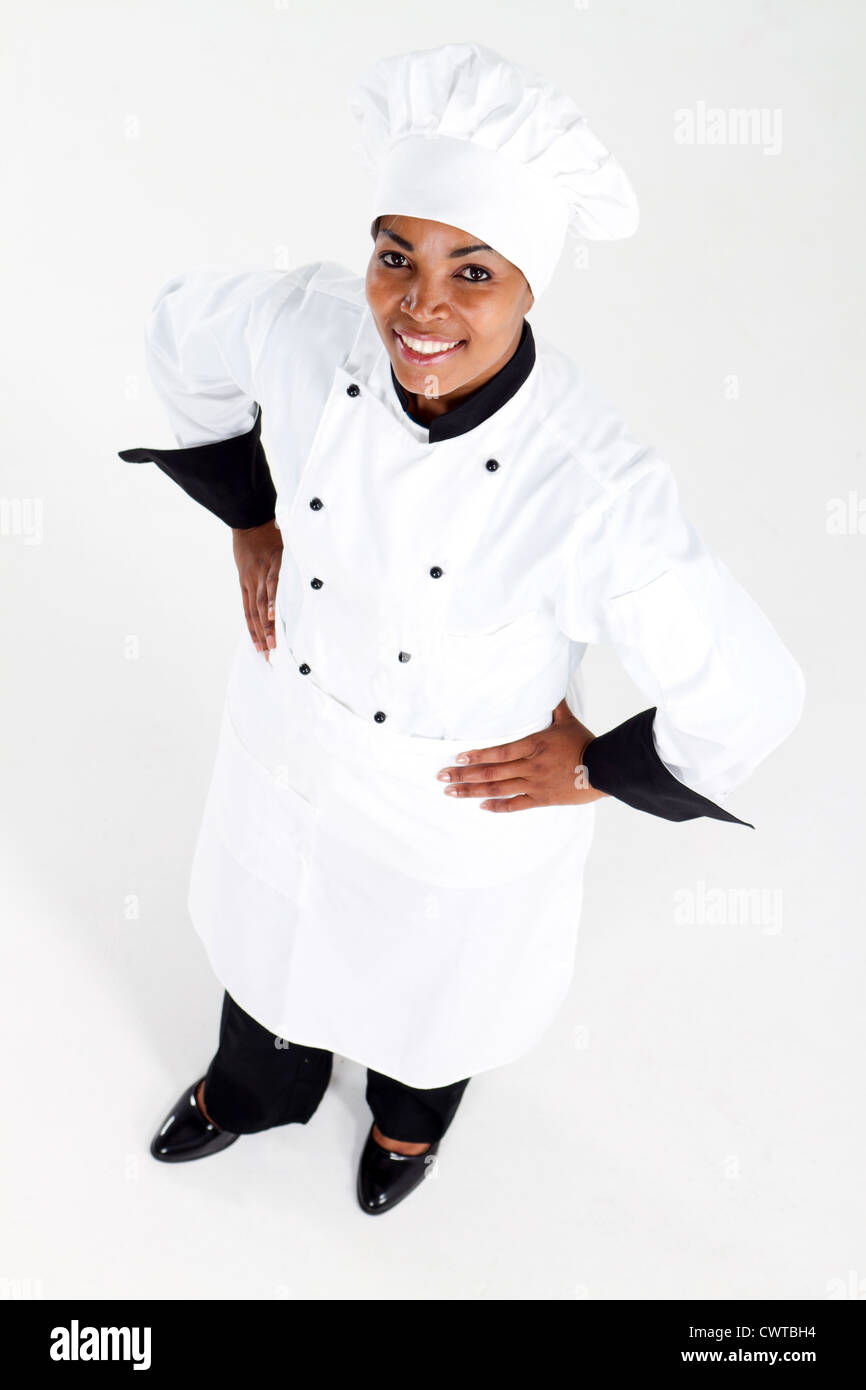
(448, 308)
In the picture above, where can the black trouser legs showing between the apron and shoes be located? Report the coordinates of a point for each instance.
(258, 1081)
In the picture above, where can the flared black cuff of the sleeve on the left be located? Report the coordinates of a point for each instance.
(230, 477)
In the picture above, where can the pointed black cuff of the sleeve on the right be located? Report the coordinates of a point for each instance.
(625, 764)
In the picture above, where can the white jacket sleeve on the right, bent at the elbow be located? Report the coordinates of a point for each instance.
(726, 690)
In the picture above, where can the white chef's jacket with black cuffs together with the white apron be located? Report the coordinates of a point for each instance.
(439, 589)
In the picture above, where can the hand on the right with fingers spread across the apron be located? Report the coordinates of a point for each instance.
(544, 769)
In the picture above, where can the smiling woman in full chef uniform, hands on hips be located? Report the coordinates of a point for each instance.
(391, 857)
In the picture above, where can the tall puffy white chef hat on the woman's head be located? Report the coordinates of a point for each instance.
(462, 136)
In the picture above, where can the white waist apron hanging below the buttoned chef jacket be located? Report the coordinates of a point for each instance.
(347, 903)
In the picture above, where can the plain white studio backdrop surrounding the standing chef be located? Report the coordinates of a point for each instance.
(692, 1125)
